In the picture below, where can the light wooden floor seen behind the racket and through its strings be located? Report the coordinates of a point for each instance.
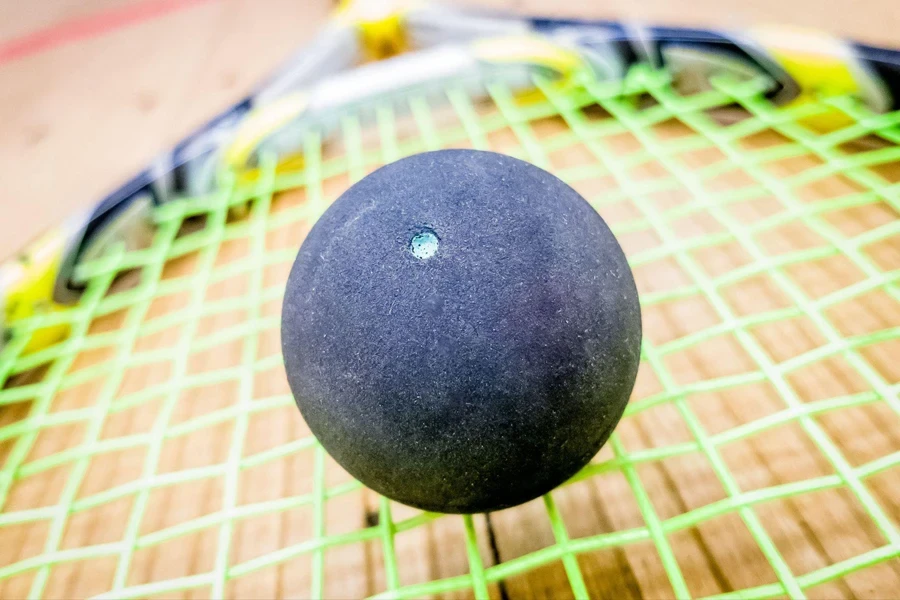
(84, 114)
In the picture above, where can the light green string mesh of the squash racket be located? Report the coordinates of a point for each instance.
(633, 108)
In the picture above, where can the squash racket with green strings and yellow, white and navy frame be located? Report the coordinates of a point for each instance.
(150, 445)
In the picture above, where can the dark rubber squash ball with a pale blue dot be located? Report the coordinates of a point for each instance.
(461, 331)
